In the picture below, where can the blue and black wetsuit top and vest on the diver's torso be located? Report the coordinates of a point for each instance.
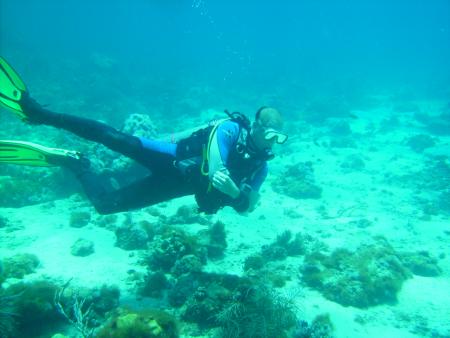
(224, 154)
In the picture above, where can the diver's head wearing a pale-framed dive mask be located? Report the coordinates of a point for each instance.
(266, 129)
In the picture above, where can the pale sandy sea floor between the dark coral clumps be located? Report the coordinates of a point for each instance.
(384, 191)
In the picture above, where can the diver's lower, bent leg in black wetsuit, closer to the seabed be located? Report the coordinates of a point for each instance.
(145, 192)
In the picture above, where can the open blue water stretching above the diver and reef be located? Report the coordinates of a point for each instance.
(241, 53)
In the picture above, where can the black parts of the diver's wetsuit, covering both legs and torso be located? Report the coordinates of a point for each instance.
(166, 180)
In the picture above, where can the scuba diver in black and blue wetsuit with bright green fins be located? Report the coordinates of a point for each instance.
(222, 164)
